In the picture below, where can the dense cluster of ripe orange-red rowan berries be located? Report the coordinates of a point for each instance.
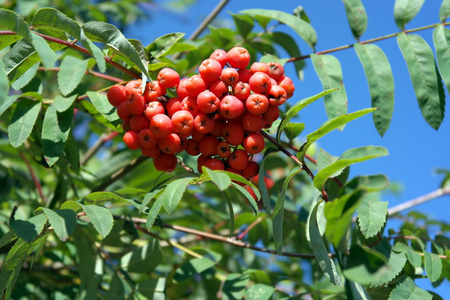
(216, 114)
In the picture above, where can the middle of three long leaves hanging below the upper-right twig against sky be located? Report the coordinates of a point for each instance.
(381, 83)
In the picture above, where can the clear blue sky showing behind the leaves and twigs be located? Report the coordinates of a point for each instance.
(416, 149)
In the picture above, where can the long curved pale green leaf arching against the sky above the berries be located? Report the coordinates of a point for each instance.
(301, 27)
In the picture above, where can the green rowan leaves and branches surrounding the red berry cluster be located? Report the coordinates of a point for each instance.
(81, 224)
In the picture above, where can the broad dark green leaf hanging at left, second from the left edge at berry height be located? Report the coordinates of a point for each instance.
(55, 132)
